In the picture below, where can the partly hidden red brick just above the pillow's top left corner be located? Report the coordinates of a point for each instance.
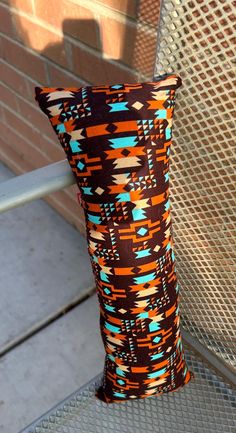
(61, 78)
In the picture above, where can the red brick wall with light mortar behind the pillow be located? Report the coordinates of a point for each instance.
(65, 43)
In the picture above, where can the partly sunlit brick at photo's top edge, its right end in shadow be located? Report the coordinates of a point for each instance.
(74, 20)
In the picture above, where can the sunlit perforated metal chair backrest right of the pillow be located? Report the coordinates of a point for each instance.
(195, 40)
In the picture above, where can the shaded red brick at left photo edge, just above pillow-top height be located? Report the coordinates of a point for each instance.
(24, 60)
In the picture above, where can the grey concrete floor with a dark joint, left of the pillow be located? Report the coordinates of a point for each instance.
(44, 268)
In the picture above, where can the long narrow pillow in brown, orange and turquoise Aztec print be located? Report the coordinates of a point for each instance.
(117, 140)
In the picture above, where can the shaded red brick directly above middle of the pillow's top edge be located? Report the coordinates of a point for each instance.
(97, 70)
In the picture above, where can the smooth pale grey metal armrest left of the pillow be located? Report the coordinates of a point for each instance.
(35, 184)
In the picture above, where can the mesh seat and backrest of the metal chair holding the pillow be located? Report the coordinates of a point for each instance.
(194, 40)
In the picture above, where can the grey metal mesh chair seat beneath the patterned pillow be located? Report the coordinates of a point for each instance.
(206, 405)
